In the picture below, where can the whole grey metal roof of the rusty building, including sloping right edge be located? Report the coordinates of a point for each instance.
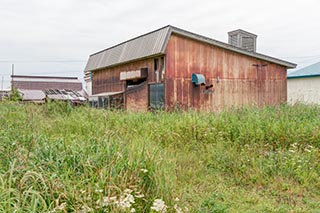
(154, 43)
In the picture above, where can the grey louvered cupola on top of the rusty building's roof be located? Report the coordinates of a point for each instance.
(244, 40)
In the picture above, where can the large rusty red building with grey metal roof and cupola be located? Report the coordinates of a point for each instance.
(171, 67)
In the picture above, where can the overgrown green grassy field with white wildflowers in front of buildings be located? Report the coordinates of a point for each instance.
(54, 158)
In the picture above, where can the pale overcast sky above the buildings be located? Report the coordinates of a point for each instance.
(42, 37)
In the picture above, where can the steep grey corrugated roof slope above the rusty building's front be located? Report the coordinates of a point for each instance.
(141, 47)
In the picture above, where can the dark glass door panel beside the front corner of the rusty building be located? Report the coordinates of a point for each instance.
(156, 96)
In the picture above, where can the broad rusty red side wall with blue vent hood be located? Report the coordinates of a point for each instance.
(240, 83)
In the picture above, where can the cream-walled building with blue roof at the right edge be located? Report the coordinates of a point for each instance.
(304, 85)
